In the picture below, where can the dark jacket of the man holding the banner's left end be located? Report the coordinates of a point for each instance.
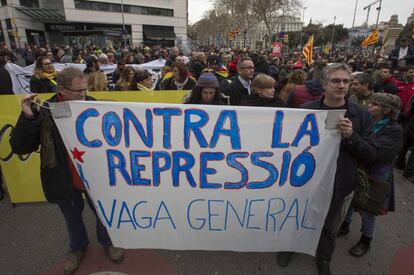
(28, 135)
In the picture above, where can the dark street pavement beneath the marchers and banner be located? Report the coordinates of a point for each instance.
(33, 240)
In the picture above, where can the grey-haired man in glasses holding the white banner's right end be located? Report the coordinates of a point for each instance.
(357, 146)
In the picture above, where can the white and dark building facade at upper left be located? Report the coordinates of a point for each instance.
(102, 22)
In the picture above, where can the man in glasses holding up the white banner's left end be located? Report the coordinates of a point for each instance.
(60, 180)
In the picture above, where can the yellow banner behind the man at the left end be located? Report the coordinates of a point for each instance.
(22, 173)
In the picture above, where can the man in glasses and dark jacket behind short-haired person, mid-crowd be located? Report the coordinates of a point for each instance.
(240, 86)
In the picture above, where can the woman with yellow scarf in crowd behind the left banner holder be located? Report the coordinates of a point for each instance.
(44, 76)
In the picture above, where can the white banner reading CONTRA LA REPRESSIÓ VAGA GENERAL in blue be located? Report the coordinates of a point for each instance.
(204, 177)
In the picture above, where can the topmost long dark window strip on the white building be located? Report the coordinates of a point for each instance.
(109, 7)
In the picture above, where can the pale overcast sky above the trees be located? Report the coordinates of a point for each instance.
(323, 11)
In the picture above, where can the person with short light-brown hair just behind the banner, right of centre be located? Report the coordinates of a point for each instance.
(263, 93)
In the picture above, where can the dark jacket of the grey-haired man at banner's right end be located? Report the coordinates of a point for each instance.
(359, 148)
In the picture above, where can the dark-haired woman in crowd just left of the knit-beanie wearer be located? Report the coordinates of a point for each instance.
(180, 79)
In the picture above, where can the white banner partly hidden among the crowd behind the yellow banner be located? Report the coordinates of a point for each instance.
(21, 75)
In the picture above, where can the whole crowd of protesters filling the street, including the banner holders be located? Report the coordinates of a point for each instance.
(376, 92)
